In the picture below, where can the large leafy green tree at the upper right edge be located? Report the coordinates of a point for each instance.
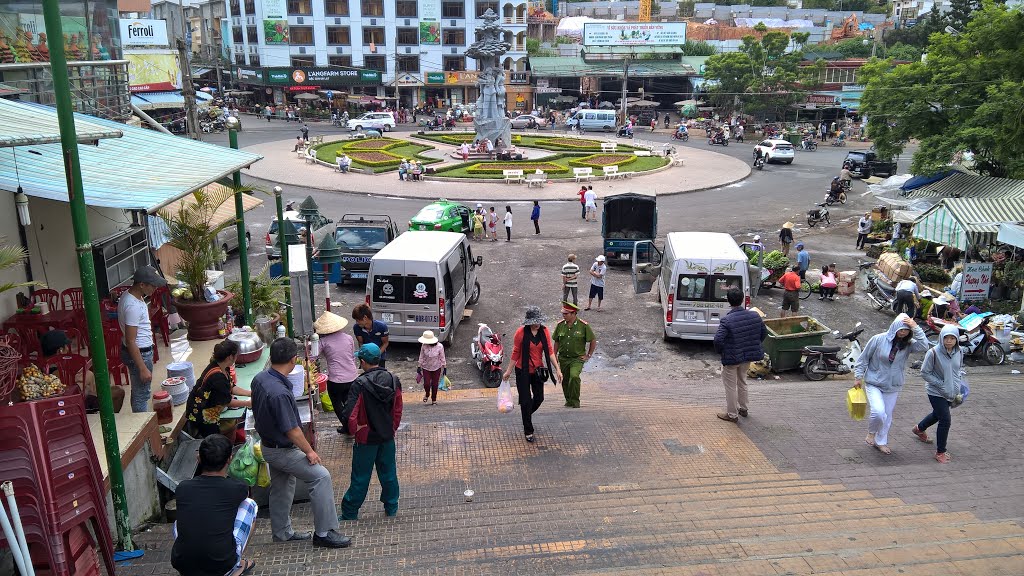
(968, 95)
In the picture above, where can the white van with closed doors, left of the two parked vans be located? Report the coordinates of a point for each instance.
(423, 281)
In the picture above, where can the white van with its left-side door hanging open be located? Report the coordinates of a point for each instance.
(694, 276)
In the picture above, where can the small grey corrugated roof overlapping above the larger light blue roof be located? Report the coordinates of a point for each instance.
(22, 127)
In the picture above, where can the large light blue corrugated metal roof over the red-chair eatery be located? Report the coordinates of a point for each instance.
(143, 171)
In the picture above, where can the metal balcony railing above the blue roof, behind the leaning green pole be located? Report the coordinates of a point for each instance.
(99, 89)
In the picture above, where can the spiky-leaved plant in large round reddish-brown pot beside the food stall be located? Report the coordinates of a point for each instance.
(191, 232)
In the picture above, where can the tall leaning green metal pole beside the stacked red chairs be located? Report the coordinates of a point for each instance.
(88, 274)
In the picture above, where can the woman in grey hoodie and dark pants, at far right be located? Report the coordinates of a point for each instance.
(942, 372)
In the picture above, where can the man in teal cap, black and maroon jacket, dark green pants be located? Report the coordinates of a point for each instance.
(373, 413)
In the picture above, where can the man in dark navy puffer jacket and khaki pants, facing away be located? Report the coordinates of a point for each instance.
(739, 341)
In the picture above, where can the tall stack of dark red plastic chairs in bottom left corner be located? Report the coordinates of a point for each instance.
(47, 451)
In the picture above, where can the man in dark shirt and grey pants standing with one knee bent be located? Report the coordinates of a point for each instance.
(290, 457)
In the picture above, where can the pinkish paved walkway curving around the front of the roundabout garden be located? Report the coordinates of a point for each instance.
(702, 171)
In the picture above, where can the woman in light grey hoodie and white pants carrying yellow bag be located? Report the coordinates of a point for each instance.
(880, 369)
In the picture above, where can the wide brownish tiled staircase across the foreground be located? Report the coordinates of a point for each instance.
(622, 486)
